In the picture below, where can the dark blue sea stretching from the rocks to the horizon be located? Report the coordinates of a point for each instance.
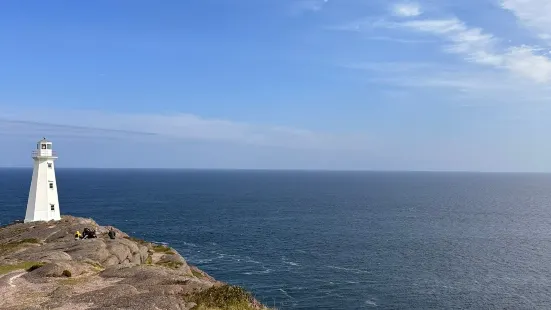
(332, 240)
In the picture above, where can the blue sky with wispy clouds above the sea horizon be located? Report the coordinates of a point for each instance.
(278, 84)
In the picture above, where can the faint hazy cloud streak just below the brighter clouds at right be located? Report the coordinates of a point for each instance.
(461, 84)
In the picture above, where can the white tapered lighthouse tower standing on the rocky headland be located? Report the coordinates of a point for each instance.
(43, 204)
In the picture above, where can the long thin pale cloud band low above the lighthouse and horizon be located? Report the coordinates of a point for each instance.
(176, 126)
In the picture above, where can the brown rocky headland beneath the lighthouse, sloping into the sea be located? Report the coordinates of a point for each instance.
(42, 266)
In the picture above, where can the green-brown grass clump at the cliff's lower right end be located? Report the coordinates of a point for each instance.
(225, 297)
